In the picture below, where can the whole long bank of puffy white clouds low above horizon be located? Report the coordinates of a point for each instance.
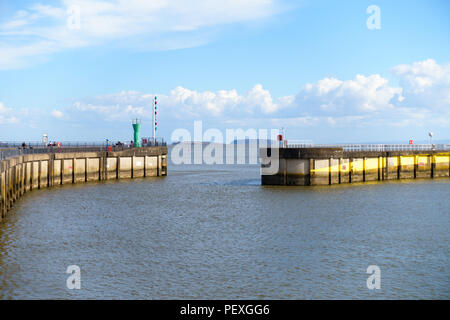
(365, 101)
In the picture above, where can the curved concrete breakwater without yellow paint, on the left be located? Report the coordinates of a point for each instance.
(23, 173)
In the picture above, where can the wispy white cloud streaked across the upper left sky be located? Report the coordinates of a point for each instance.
(44, 29)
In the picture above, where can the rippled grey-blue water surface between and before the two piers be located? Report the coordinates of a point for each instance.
(214, 232)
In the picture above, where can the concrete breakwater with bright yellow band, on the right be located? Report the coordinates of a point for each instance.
(327, 166)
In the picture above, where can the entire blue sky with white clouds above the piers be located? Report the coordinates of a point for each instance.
(81, 70)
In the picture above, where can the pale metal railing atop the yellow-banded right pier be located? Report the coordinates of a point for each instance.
(375, 147)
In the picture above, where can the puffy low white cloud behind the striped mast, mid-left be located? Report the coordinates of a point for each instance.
(182, 103)
